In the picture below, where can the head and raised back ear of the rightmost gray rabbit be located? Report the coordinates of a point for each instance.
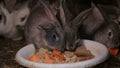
(109, 32)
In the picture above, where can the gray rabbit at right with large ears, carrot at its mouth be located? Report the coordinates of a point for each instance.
(95, 25)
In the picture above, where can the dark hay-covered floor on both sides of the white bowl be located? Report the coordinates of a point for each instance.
(9, 48)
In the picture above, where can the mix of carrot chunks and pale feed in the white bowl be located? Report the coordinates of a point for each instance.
(57, 57)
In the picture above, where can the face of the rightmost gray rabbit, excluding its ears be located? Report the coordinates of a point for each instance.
(109, 35)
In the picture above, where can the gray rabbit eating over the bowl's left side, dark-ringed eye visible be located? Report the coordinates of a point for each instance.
(43, 29)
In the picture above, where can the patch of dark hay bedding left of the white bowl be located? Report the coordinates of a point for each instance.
(8, 49)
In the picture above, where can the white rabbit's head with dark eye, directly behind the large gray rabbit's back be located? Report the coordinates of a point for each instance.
(20, 16)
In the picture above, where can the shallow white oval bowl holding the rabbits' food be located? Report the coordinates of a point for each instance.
(98, 50)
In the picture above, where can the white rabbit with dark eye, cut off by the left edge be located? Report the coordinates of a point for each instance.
(6, 22)
